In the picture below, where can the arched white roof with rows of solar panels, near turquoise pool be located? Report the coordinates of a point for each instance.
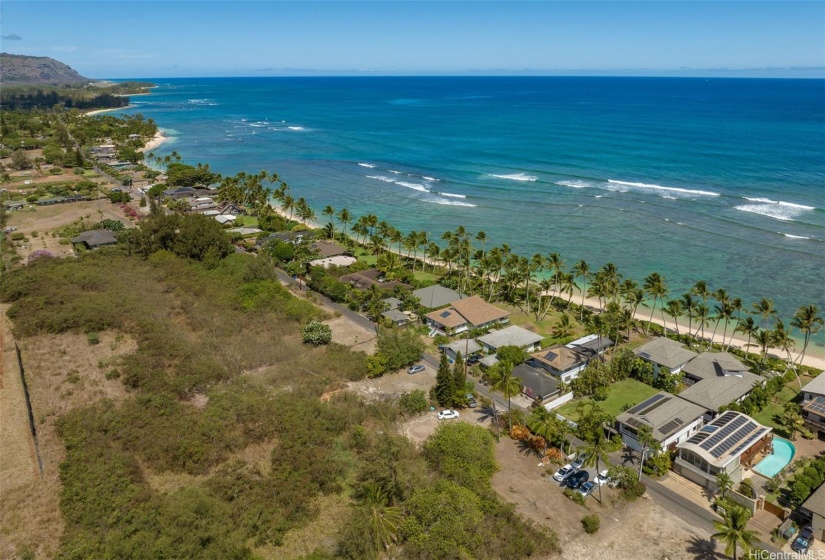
(725, 438)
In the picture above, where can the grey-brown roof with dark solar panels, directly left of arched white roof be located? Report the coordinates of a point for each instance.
(666, 414)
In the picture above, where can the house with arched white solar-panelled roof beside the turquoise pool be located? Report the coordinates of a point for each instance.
(723, 445)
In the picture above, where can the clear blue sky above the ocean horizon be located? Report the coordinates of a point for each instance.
(133, 39)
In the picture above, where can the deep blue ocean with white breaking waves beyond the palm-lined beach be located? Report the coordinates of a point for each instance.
(714, 179)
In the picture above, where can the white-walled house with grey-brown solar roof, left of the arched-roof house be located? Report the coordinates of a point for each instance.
(672, 420)
